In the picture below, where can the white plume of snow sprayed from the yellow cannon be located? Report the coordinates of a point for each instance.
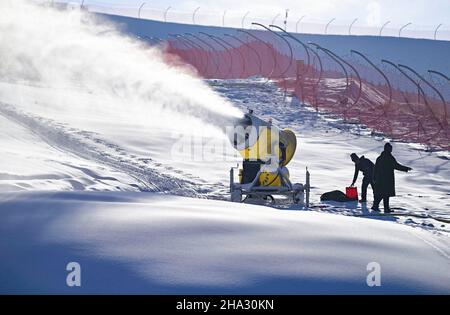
(99, 69)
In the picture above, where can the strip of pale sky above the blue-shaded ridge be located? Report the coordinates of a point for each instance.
(369, 12)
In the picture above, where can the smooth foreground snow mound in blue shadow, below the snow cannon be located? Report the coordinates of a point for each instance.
(148, 243)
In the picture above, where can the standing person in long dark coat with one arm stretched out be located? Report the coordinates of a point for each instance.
(384, 177)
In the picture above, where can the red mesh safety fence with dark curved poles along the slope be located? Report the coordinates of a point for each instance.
(389, 98)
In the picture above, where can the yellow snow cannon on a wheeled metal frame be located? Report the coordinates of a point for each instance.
(266, 150)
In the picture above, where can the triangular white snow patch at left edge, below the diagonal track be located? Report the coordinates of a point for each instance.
(28, 163)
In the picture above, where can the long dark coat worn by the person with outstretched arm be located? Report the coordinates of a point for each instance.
(384, 174)
